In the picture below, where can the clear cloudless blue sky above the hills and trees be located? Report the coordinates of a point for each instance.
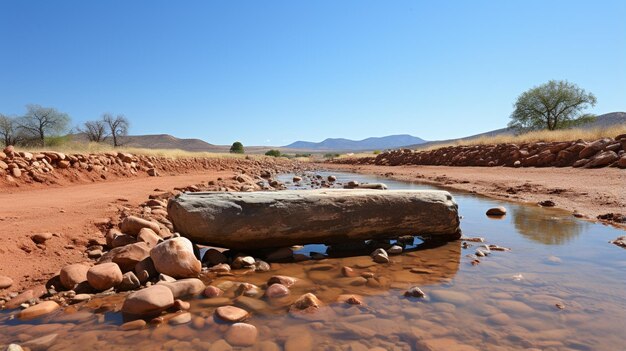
(272, 72)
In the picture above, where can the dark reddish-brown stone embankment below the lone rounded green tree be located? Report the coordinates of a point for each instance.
(605, 152)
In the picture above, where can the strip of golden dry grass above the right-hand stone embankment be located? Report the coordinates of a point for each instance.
(537, 136)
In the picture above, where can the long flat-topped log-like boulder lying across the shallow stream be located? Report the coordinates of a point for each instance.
(254, 220)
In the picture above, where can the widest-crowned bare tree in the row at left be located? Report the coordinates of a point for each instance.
(39, 122)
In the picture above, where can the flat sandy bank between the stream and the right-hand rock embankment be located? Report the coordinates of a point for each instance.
(590, 192)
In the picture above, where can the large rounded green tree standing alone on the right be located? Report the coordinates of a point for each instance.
(553, 105)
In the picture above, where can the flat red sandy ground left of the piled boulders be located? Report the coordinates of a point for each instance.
(71, 213)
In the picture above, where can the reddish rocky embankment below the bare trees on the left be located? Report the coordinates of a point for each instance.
(27, 169)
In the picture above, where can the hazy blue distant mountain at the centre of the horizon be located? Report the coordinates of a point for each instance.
(340, 144)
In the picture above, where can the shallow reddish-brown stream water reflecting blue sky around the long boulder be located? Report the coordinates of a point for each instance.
(561, 287)
